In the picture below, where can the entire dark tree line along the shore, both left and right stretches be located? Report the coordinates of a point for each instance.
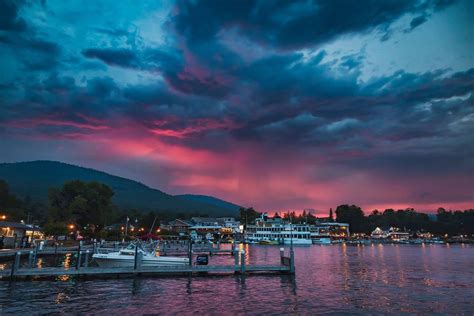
(89, 207)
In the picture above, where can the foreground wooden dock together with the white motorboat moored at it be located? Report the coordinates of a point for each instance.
(133, 260)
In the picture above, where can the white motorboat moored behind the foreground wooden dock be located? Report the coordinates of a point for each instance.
(126, 258)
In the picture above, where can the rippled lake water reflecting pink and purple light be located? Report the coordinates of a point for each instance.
(376, 279)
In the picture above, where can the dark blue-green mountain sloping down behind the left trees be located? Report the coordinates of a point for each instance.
(34, 178)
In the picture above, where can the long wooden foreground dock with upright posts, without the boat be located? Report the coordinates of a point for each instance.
(82, 268)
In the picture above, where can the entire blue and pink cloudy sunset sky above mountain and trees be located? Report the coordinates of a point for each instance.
(279, 105)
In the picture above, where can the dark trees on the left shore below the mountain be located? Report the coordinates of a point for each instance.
(79, 205)
